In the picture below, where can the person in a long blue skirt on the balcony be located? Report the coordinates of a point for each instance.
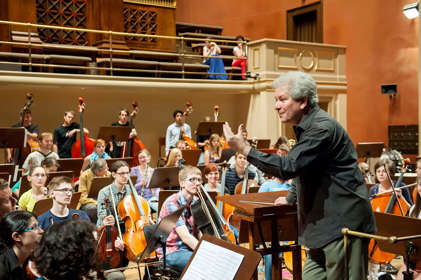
(216, 65)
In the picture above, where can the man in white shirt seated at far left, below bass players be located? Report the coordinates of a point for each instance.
(45, 150)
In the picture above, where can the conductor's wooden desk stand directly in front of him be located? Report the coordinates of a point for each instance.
(261, 223)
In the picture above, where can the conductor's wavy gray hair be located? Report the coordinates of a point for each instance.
(299, 85)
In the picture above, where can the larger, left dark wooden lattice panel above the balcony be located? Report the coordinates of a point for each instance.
(68, 13)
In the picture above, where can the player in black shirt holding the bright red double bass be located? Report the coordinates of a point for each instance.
(65, 135)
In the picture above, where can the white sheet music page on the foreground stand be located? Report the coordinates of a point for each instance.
(213, 262)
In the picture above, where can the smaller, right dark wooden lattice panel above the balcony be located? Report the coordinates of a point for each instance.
(141, 21)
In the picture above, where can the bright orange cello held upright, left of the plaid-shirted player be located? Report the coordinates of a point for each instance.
(135, 213)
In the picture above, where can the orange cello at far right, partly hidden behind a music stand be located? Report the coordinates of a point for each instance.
(387, 203)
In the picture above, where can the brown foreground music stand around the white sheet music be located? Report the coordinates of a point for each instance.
(248, 265)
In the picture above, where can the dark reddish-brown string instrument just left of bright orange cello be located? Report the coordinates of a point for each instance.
(109, 254)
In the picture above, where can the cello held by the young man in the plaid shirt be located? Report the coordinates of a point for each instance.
(208, 219)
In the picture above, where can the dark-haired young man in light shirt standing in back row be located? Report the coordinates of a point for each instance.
(176, 131)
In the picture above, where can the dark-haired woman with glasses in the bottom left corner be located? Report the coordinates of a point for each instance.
(19, 235)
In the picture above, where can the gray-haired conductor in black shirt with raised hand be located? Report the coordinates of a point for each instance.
(329, 191)
